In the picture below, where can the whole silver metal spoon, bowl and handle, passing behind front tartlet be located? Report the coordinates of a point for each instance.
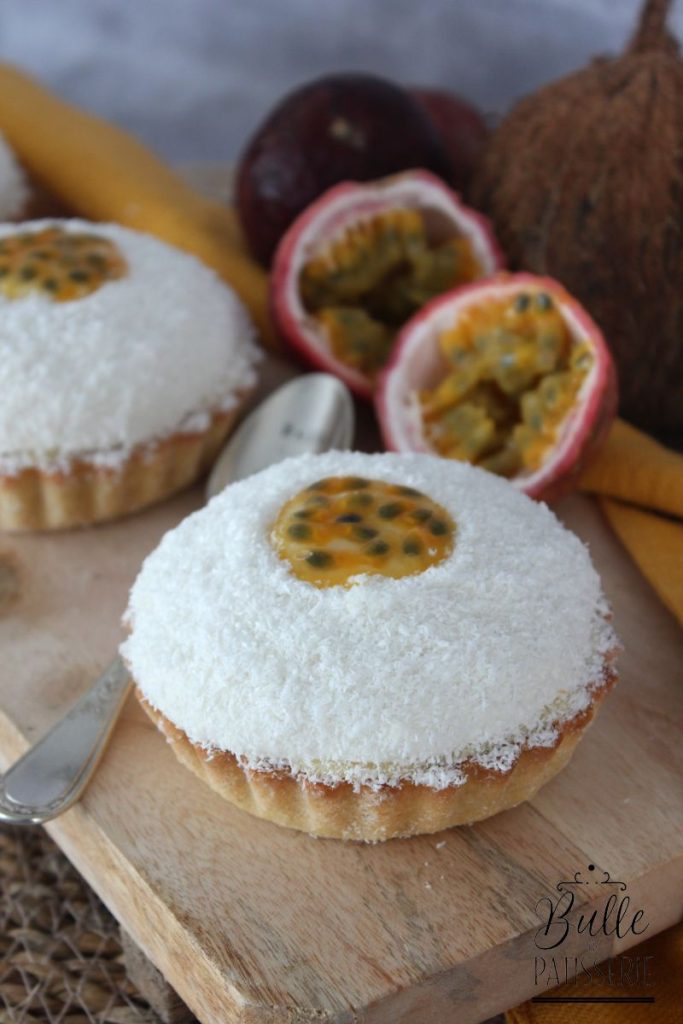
(314, 413)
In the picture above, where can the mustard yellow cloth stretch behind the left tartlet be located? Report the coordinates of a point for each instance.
(105, 175)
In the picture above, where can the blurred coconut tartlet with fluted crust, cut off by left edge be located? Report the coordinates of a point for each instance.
(123, 366)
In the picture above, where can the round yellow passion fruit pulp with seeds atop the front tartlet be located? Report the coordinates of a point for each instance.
(345, 527)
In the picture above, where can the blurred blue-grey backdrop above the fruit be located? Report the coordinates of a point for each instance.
(194, 77)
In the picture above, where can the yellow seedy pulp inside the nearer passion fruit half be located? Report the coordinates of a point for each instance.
(514, 375)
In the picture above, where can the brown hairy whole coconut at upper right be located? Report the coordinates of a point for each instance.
(584, 182)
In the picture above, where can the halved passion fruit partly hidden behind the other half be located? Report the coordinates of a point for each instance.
(365, 259)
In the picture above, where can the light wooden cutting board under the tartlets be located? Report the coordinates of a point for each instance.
(257, 924)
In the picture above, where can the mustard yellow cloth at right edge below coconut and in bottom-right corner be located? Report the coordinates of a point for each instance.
(639, 485)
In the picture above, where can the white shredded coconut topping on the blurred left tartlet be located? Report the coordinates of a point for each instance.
(134, 362)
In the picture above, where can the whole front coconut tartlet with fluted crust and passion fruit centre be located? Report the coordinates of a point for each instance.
(366, 647)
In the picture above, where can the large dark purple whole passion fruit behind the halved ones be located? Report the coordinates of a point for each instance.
(338, 129)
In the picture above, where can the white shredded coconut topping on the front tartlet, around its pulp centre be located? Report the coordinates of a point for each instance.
(388, 679)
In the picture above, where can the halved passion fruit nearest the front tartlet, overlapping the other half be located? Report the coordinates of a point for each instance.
(510, 374)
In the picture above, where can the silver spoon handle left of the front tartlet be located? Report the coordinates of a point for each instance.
(53, 775)
